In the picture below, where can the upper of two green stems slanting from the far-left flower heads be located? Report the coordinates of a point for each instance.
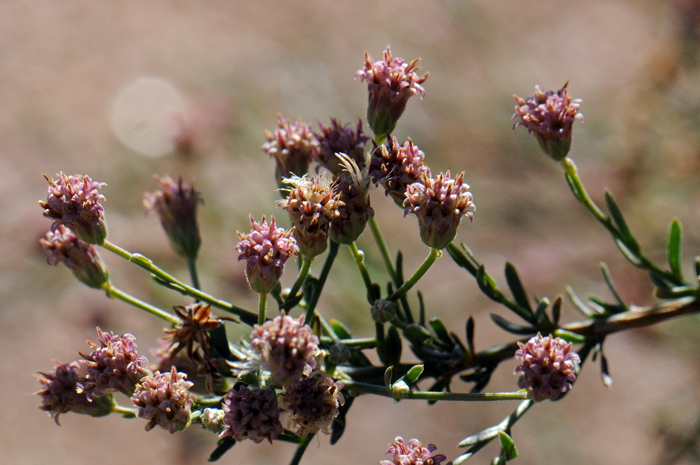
(145, 263)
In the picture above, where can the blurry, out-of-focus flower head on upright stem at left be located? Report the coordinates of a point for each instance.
(176, 206)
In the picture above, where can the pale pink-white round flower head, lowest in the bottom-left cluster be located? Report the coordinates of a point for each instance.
(164, 399)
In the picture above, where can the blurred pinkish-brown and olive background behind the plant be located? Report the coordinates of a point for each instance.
(127, 89)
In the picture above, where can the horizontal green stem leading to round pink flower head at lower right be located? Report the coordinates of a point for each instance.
(433, 396)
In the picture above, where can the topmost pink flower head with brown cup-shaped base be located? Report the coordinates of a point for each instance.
(390, 82)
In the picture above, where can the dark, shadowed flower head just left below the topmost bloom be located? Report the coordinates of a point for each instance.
(338, 138)
